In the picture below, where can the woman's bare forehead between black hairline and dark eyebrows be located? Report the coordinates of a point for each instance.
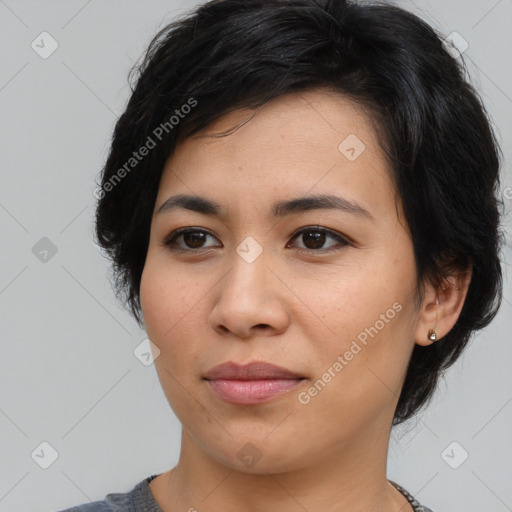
(318, 141)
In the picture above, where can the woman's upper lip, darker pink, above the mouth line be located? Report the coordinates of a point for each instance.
(252, 371)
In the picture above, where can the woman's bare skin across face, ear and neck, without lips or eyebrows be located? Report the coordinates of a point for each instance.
(296, 310)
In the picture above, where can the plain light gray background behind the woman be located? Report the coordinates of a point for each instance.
(68, 374)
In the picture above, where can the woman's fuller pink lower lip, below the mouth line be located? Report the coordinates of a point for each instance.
(248, 392)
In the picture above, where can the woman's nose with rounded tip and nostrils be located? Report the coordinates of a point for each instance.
(249, 300)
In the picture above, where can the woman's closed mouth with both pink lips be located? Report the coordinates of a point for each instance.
(250, 384)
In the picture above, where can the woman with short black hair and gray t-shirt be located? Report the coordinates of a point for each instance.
(300, 206)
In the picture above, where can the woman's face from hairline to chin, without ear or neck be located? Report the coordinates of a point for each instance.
(328, 293)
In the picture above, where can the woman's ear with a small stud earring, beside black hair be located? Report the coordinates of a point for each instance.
(442, 316)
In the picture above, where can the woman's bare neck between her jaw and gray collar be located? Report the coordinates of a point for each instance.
(352, 477)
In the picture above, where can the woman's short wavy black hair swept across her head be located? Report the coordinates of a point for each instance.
(230, 54)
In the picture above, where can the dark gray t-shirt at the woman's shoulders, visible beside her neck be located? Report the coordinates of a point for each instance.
(140, 499)
